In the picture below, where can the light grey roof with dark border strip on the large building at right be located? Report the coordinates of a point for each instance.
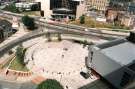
(121, 51)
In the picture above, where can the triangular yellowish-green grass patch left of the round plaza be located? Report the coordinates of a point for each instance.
(17, 65)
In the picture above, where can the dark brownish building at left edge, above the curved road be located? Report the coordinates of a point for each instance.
(5, 30)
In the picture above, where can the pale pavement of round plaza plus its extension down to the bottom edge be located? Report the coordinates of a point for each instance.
(62, 61)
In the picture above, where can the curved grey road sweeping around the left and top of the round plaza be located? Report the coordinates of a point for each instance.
(38, 33)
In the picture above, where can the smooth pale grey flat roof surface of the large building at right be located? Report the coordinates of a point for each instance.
(123, 53)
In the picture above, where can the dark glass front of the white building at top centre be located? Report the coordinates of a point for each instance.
(63, 8)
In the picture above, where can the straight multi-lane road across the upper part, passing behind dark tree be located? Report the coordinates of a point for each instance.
(102, 31)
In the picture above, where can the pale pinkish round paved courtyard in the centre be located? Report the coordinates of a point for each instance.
(62, 58)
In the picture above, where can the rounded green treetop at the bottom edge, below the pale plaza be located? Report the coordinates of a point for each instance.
(50, 84)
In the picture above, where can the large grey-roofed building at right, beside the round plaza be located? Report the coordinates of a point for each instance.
(115, 61)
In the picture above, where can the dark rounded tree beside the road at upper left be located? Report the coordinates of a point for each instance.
(28, 22)
